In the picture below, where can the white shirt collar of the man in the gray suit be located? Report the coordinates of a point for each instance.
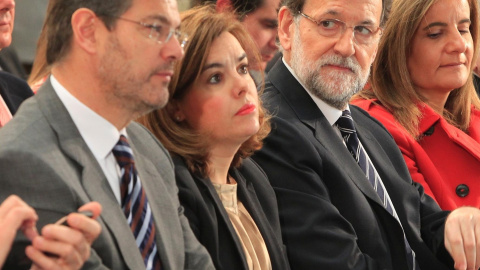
(99, 134)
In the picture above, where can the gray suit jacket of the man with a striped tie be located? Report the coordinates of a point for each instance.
(45, 161)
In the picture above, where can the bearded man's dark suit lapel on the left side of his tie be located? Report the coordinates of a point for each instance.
(311, 116)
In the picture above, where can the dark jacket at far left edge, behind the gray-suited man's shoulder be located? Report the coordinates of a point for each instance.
(14, 91)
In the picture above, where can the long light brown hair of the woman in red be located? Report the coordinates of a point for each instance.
(391, 82)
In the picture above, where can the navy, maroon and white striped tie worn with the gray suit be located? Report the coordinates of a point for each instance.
(135, 205)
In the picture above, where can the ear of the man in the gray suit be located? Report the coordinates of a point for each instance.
(84, 25)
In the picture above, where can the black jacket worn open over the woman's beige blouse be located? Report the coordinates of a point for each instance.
(210, 221)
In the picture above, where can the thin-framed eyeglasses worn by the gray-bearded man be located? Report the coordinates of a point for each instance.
(362, 34)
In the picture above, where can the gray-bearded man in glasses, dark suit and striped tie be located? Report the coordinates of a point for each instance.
(345, 196)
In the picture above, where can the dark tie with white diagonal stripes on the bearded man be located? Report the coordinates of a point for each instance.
(347, 128)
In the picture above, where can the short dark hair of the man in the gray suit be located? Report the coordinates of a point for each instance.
(59, 27)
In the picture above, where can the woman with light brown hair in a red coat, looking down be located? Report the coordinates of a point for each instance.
(422, 92)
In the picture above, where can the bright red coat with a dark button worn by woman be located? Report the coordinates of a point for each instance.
(446, 160)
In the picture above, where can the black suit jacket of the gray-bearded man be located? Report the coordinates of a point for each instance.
(331, 216)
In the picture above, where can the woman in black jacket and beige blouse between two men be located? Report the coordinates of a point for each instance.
(211, 125)
